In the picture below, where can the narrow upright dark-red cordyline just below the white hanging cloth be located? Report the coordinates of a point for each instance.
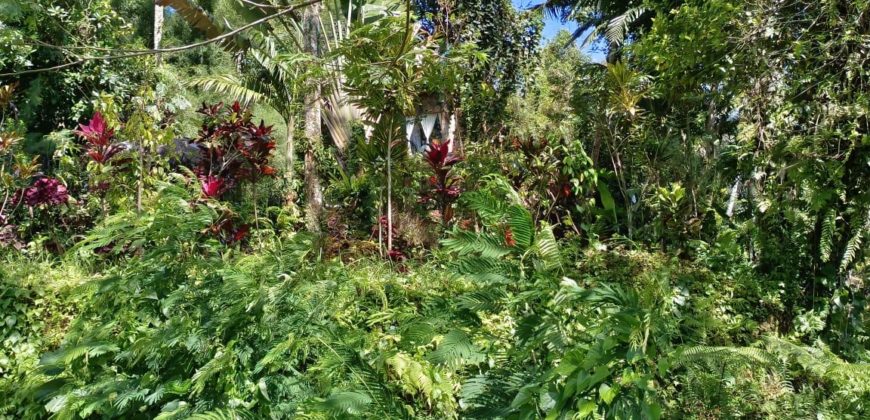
(443, 186)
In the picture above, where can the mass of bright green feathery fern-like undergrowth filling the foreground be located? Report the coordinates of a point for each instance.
(173, 323)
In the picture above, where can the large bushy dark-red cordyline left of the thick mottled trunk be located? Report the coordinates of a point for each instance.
(233, 148)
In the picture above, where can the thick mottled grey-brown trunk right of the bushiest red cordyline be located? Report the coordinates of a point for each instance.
(313, 190)
